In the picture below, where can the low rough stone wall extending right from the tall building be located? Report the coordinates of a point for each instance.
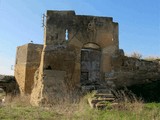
(128, 71)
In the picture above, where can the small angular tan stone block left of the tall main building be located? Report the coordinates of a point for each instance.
(27, 62)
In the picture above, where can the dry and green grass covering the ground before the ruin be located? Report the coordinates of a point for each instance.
(18, 108)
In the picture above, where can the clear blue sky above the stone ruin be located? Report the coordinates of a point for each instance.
(21, 22)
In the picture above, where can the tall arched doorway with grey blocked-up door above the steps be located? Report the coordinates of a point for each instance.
(90, 63)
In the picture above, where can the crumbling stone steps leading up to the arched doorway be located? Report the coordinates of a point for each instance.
(102, 96)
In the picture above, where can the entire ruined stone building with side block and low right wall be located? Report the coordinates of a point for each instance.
(78, 51)
